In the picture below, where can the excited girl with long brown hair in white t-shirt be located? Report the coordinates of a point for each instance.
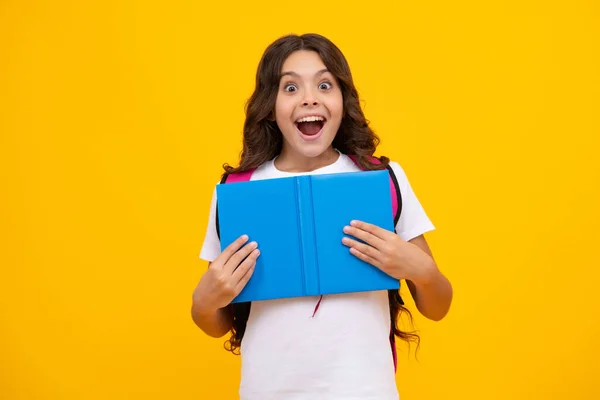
(304, 117)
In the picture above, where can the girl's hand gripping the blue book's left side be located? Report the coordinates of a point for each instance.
(226, 276)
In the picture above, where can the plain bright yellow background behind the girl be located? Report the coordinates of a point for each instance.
(115, 118)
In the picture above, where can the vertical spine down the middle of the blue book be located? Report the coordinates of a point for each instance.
(308, 247)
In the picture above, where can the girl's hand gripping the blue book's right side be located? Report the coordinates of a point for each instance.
(388, 252)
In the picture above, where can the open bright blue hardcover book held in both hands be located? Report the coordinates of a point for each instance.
(298, 224)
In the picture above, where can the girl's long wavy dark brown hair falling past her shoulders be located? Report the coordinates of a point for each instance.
(263, 141)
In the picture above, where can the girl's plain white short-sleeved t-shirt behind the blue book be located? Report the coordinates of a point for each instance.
(343, 352)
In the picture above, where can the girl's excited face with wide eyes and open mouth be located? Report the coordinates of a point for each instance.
(308, 109)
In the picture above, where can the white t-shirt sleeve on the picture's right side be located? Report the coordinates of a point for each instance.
(413, 218)
